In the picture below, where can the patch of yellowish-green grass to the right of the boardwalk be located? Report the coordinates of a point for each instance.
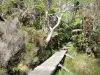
(80, 65)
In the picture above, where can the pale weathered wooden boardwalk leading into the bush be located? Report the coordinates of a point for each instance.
(50, 65)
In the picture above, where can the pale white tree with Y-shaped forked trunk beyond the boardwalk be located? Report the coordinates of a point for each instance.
(47, 22)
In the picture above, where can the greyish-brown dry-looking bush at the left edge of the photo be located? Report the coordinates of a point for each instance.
(11, 40)
